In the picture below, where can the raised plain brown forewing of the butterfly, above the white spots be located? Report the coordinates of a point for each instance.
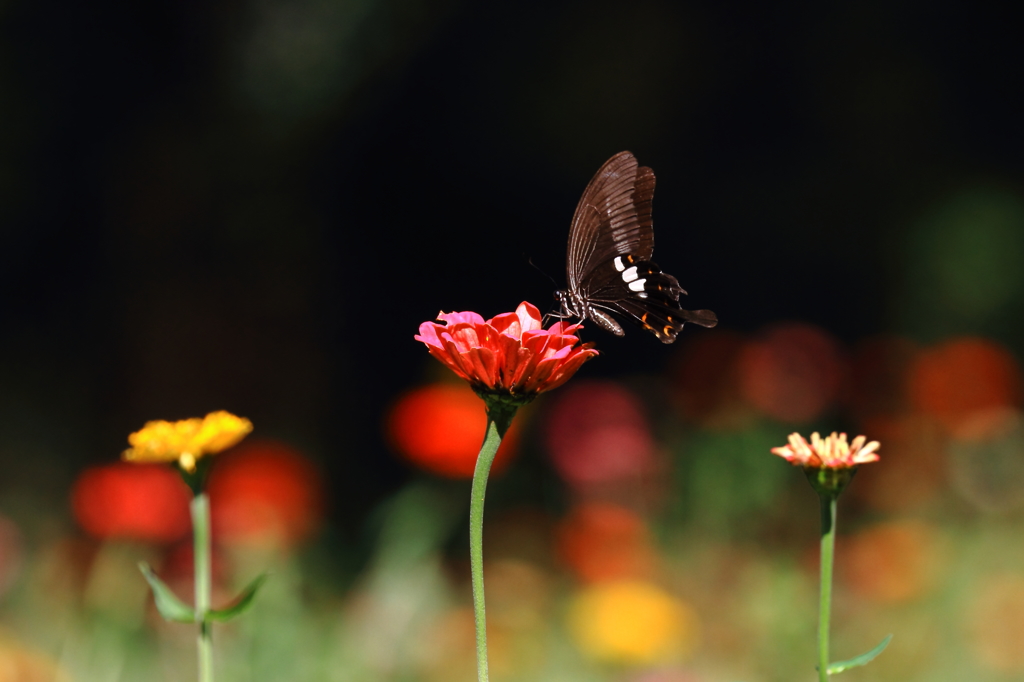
(614, 219)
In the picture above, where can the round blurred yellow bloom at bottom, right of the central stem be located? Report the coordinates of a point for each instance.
(631, 622)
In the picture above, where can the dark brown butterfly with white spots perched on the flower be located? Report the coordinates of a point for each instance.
(609, 261)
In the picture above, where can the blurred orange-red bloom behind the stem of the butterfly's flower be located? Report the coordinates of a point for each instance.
(441, 429)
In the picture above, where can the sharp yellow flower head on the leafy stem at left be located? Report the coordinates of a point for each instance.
(187, 441)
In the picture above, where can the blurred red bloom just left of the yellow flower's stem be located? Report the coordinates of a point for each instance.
(134, 501)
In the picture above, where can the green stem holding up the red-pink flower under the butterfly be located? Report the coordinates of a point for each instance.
(499, 419)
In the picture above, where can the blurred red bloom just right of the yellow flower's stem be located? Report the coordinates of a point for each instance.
(265, 492)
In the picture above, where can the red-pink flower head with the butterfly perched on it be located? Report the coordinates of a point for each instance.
(509, 354)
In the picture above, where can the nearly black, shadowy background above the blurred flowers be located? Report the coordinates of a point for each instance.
(252, 205)
